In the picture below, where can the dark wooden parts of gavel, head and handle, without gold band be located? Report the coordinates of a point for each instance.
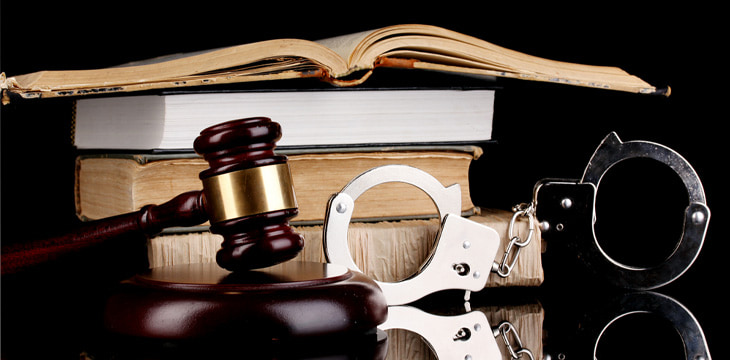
(250, 242)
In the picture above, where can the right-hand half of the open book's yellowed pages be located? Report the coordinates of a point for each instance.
(446, 50)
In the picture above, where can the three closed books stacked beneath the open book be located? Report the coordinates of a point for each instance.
(136, 150)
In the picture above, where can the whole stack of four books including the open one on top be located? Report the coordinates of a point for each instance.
(135, 125)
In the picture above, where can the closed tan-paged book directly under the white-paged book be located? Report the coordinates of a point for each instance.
(112, 184)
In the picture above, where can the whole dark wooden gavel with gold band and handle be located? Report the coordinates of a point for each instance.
(247, 196)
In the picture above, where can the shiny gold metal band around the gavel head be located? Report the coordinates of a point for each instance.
(249, 192)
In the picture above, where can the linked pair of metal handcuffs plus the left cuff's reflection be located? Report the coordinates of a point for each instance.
(464, 252)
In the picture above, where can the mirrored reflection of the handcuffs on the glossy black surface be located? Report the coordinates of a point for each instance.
(469, 335)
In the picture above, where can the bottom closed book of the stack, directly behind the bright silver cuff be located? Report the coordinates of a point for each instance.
(387, 250)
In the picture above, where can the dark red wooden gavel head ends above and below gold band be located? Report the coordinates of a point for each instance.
(259, 240)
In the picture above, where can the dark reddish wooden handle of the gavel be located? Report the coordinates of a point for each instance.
(184, 210)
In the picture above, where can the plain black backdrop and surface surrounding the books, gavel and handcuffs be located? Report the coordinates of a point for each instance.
(542, 131)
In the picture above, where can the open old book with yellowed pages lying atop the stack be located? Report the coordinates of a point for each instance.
(346, 60)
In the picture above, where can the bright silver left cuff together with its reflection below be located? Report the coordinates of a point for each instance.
(456, 262)
